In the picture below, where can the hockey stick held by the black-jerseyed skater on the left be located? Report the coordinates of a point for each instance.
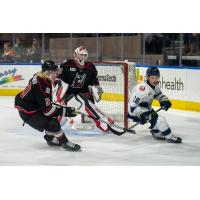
(110, 125)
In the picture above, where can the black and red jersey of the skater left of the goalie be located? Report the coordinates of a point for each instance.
(37, 96)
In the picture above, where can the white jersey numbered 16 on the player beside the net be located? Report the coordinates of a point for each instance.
(142, 97)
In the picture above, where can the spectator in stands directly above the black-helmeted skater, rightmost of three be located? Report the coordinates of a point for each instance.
(34, 53)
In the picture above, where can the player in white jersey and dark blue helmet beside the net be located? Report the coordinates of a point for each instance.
(140, 106)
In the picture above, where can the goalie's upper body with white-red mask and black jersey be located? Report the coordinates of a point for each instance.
(80, 75)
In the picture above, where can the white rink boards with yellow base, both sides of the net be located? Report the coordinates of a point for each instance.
(180, 84)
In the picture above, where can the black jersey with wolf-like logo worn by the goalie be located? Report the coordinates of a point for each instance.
(78, 79)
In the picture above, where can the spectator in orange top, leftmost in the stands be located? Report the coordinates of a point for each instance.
(8, 55)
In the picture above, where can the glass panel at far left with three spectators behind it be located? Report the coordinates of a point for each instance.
(20, 48)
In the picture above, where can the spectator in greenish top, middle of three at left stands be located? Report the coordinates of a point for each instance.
(19, 51)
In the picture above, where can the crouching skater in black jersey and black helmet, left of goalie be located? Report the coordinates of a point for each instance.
(35, 107)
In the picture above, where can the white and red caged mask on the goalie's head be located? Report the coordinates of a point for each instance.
(80, 55)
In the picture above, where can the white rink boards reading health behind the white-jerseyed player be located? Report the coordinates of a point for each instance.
(180, 84)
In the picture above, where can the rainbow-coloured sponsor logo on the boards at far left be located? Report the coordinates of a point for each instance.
(8, 76)
